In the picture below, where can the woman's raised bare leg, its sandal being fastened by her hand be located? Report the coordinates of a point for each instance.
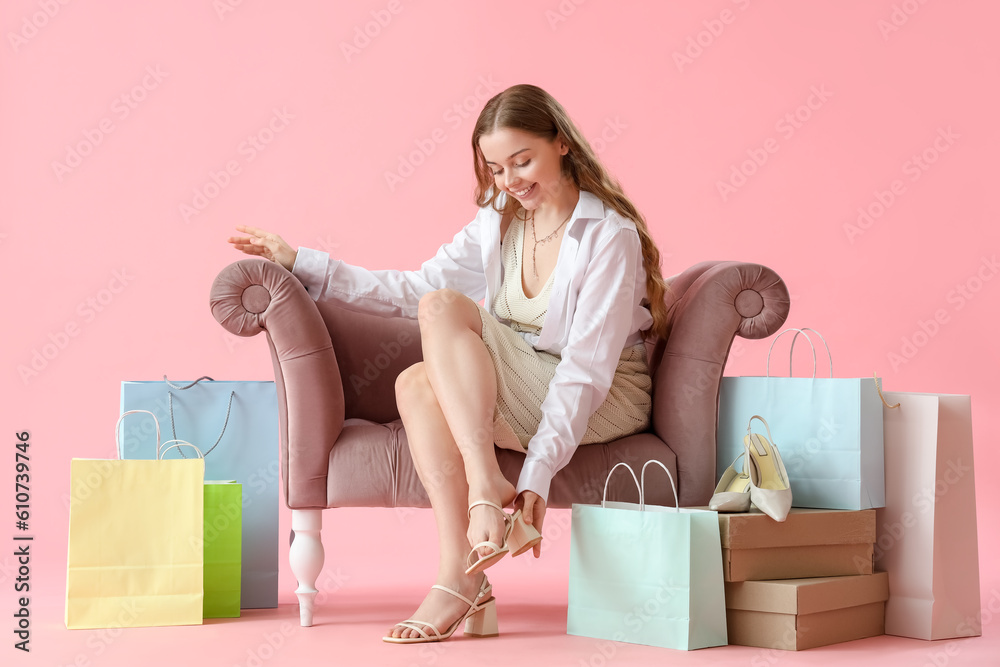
(462, 375)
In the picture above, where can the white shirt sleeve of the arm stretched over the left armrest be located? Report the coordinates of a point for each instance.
(458, 265)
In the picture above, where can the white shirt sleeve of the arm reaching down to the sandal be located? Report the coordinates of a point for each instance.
(601, 324)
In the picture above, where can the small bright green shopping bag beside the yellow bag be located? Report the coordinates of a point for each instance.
(221, 543)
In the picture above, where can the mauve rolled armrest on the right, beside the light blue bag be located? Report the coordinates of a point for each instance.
(709, 305)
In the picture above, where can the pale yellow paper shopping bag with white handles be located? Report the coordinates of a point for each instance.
(134, 554)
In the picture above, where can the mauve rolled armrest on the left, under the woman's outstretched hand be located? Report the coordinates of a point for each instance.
(254, 295)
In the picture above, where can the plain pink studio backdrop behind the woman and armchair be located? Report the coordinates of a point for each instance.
(161, 96)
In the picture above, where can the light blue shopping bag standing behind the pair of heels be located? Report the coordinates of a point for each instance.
(829, 431)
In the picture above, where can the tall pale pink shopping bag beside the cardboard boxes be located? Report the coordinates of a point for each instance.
(926, 533)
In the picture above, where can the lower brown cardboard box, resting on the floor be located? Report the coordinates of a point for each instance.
(796, 614)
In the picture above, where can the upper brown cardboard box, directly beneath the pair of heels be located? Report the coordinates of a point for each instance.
(808, 543)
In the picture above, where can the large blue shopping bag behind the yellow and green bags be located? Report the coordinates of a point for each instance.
(236, 425)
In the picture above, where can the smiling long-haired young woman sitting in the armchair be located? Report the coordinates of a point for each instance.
(555, 359)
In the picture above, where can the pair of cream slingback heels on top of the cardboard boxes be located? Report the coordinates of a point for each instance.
(763, 480)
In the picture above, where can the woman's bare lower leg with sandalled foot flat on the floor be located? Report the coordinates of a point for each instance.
(440, 467)
